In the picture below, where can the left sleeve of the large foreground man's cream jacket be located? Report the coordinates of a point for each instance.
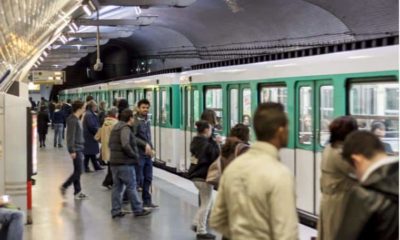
(219, 214)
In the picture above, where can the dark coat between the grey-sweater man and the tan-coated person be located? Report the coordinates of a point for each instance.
(90, 128)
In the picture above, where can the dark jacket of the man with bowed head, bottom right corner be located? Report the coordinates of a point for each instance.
(372, 209)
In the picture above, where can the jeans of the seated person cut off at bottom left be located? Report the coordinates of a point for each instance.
(12, 224)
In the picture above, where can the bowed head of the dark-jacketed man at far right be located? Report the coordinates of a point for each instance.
(361, 149)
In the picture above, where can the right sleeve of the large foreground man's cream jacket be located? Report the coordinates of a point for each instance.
(283, 215)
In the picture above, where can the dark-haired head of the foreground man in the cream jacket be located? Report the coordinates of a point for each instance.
(271, 124)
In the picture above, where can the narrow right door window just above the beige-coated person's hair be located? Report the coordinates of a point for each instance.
(325, 113)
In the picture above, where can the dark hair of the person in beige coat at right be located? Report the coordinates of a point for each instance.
(340, 128)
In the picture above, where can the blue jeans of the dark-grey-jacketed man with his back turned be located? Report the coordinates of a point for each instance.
(124, 175)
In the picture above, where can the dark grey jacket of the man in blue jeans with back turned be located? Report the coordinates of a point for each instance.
(123, 145)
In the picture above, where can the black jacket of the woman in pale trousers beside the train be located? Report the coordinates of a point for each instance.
(204, 152)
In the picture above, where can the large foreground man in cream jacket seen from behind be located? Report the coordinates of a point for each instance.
(256, 196)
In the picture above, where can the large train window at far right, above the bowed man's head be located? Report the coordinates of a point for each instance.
(376, 105)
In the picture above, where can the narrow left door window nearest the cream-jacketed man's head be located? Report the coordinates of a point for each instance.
(305, 116)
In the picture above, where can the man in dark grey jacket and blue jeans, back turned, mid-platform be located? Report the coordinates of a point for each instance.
(123, 158)
